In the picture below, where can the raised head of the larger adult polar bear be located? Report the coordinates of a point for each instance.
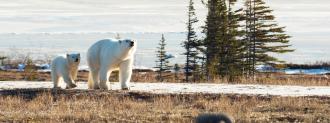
(129, 45)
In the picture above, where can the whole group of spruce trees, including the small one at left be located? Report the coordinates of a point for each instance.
(237, 39)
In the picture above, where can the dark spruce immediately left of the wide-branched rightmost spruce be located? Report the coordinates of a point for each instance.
(235, 47)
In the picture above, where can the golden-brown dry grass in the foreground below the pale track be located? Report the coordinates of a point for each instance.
(45, 105)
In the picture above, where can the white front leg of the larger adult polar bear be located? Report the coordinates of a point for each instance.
(125, 73)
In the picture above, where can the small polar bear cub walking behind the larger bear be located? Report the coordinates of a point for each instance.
(65, 68)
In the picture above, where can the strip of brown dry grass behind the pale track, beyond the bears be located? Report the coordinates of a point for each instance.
(269, 79)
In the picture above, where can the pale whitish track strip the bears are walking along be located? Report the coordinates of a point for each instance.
(179, 88)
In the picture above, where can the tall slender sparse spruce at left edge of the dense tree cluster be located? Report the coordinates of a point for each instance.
(191, 44)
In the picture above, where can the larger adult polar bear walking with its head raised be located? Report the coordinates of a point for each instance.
(107, 55)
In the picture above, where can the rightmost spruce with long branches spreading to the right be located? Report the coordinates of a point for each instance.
(263, 35)
